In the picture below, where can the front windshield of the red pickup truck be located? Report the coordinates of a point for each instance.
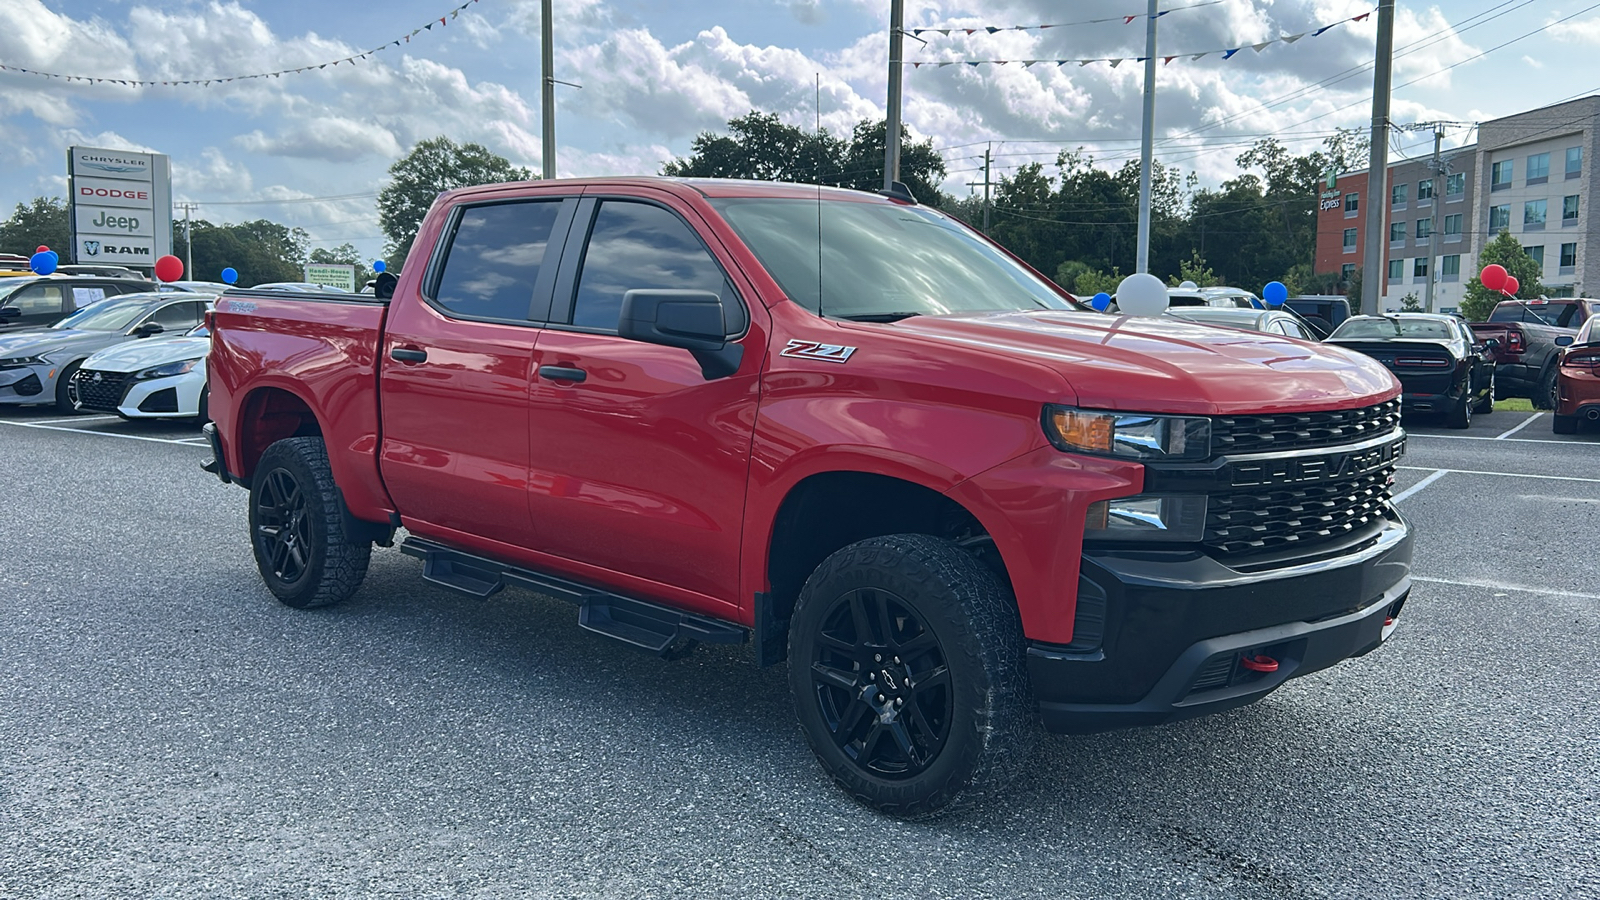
(881, 262)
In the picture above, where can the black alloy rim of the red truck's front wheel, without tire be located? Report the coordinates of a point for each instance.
(882, 685)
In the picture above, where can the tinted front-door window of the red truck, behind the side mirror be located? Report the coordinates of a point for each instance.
(638, 246)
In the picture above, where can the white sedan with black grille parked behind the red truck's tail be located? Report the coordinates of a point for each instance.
(148, 379)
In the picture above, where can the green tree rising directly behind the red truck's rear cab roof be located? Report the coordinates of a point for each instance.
(431, 169)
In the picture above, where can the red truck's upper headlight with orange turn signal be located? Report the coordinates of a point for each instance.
(1132, 436)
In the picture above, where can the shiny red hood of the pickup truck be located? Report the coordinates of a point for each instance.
(1169, 366)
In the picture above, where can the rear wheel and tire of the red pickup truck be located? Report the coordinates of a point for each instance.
(297, 528)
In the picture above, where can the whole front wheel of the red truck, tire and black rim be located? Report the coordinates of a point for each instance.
(908, 669)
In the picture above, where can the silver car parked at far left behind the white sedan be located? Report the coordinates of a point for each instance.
(38, 364)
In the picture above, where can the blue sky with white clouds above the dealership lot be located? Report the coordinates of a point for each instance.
(313, 148)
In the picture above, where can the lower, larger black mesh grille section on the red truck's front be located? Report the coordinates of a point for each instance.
(1295, 516)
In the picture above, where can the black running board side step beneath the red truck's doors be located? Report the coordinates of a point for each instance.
(650, 627)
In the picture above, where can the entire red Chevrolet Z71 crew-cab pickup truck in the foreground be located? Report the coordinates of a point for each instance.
(844, 428)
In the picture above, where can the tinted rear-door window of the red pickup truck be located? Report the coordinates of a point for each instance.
(495, 260)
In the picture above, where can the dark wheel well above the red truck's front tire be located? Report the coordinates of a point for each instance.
(836, 510)
